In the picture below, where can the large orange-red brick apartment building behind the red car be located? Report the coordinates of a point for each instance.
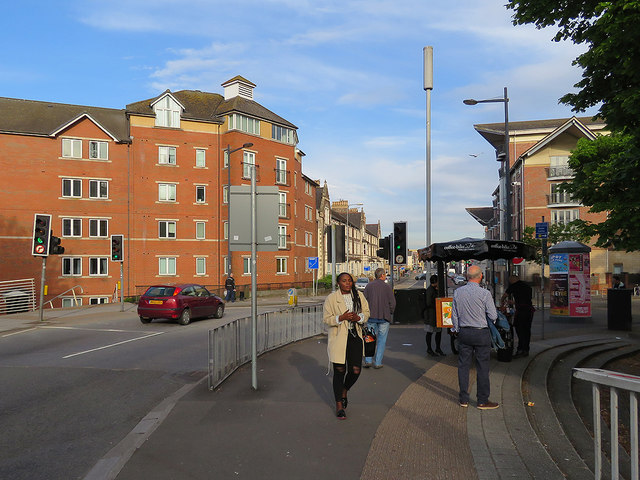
(156, 172)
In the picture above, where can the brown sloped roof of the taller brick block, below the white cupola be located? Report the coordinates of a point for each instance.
(210, 107)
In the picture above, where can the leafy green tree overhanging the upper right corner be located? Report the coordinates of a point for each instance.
(608, 168)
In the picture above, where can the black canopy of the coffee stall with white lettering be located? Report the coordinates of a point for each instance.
(476, 249)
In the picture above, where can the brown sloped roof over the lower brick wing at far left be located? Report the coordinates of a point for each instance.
(31, 117)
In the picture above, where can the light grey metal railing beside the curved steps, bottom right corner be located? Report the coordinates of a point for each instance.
(615, 381)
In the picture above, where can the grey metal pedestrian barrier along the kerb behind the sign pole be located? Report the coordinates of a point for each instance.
(230, 344)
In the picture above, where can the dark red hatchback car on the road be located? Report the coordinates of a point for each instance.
(179, 302)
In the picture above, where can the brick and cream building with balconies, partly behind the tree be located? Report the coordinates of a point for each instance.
(539, 153)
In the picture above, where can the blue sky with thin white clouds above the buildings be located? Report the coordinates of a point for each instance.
(348, 73)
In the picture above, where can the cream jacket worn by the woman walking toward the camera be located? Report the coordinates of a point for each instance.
(334, 306)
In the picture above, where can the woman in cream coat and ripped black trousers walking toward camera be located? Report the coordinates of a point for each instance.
(345, 311)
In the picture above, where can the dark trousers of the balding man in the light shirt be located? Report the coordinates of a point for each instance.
(474, 341)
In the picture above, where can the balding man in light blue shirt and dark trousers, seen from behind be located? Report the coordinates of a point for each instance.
(472, 306)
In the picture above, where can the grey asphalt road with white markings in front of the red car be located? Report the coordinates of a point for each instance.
(75, 386)
